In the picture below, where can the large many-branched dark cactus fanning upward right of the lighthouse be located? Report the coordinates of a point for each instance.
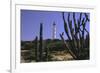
(75, 34)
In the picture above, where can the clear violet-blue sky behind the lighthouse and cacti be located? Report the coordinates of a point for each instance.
(31, 19)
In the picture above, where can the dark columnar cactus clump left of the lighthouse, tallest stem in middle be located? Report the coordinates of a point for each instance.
(39, 51)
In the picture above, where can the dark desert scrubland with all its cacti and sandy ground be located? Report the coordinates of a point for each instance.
(75, 47)
